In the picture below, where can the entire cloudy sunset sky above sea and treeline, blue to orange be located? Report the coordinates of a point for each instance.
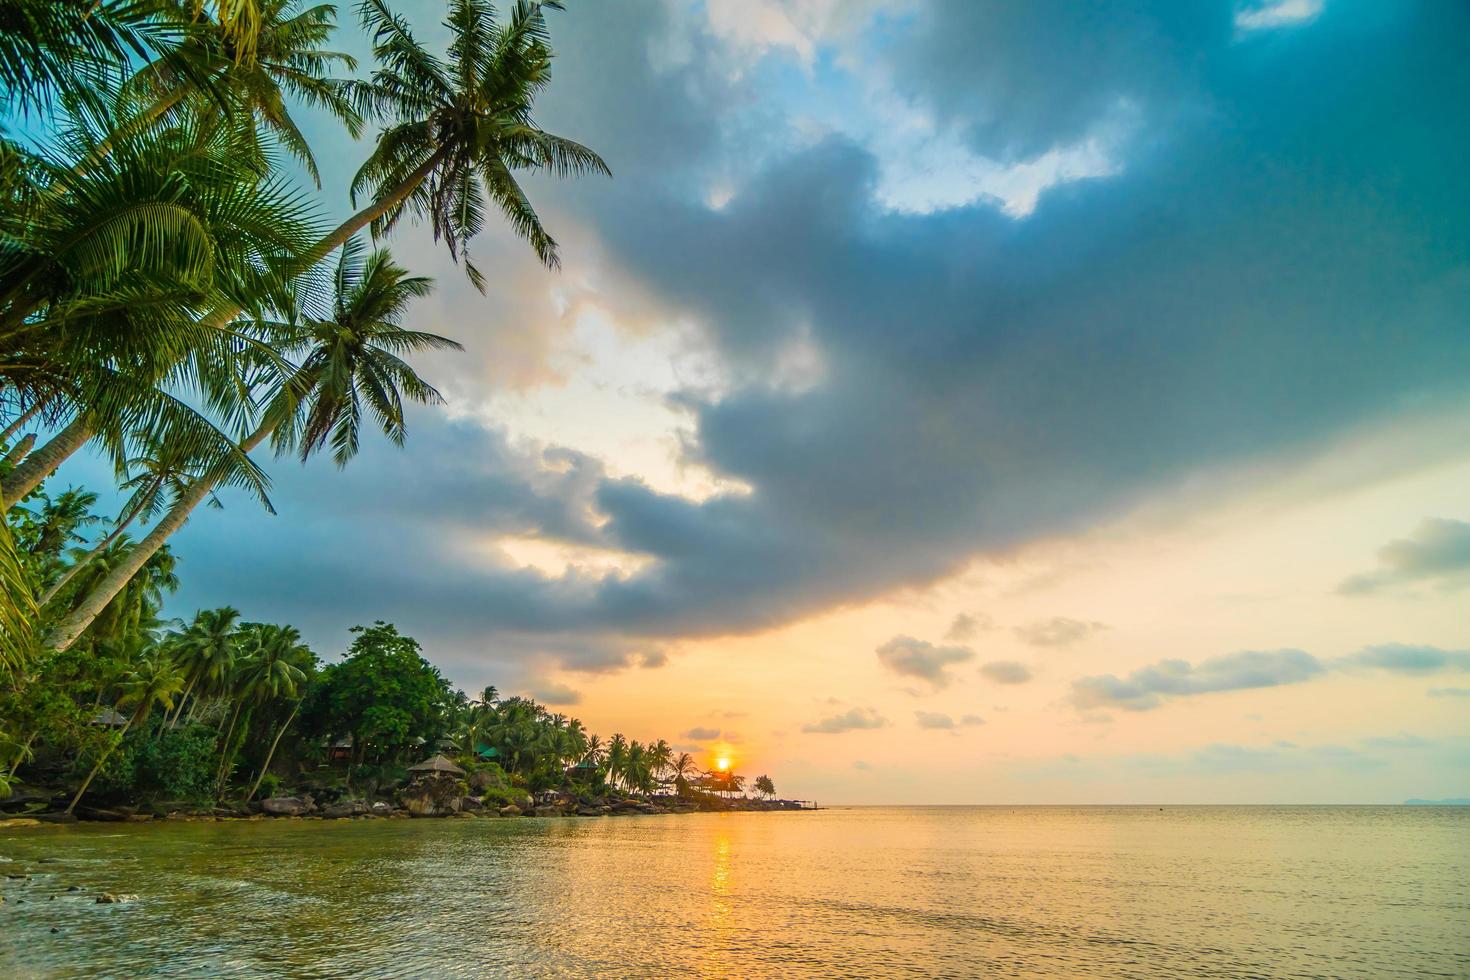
(947, 402)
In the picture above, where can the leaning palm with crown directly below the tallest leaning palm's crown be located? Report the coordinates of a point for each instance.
(351, 365)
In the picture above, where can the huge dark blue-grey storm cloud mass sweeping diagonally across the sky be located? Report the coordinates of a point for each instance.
(1281, 258)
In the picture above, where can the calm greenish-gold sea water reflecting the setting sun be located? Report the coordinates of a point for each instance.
(1068, 893)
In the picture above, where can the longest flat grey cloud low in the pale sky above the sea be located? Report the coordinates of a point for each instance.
(1150, 687)
